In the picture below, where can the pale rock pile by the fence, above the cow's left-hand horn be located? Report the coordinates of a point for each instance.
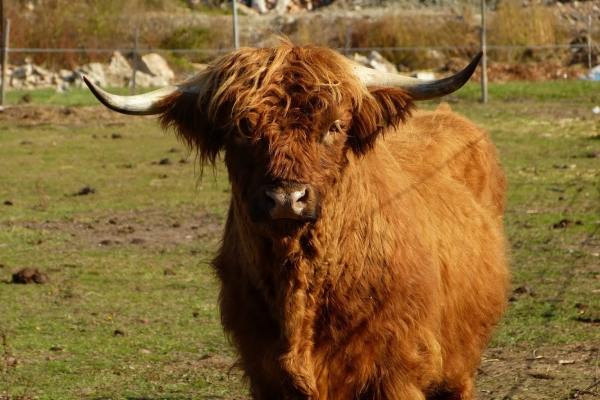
(152, 71)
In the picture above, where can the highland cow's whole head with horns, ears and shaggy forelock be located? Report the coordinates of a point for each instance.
(285, 118)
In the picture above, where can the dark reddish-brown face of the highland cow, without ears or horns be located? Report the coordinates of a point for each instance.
(283, 162)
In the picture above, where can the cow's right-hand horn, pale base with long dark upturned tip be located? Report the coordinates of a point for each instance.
(418, 88)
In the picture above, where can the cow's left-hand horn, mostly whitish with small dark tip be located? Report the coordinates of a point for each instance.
(142, 104)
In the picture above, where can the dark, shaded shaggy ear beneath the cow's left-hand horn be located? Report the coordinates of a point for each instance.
(186, 115)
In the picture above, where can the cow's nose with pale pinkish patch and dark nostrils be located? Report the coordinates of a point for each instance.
(287, 201)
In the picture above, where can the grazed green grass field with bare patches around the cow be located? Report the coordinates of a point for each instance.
(112, 210)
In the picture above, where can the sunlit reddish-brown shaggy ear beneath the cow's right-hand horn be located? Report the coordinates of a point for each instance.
(386, 108)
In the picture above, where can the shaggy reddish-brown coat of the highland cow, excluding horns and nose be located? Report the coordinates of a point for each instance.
(395, 287)
